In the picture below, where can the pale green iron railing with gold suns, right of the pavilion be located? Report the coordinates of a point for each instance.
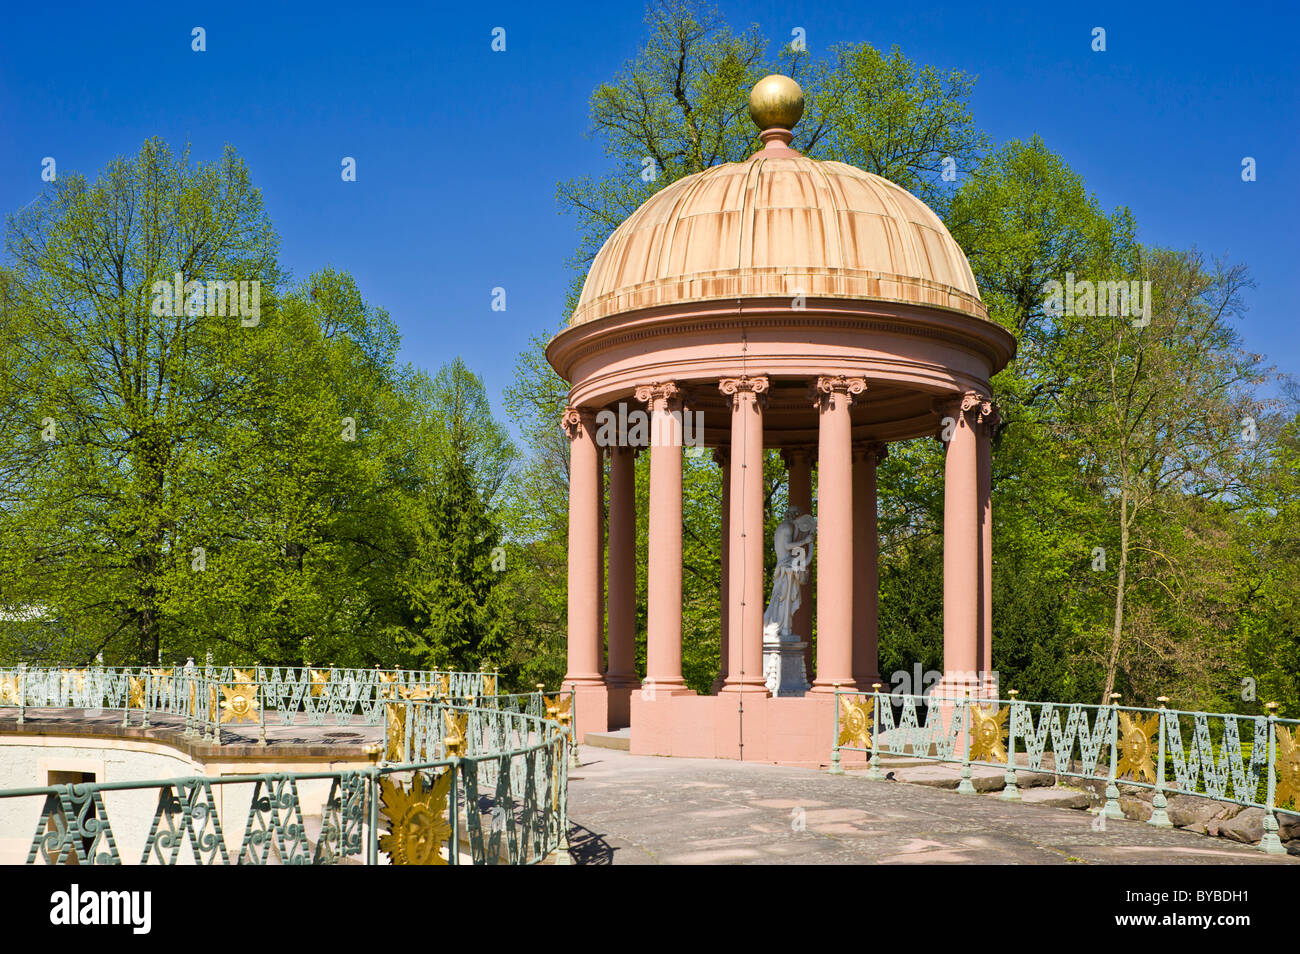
(1249, 761)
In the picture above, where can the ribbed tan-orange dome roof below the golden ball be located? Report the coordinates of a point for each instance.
(779, 226)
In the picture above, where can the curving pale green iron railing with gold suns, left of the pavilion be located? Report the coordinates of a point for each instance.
(465, 775)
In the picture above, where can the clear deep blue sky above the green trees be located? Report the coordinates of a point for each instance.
(460, 149)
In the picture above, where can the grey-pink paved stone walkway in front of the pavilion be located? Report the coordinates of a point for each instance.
(644, 810)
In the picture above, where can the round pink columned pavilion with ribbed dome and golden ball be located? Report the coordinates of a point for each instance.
(794, 305)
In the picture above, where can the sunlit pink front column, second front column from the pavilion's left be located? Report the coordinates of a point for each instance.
(664, 566)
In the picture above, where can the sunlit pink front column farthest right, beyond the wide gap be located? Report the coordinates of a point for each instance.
(961, 545)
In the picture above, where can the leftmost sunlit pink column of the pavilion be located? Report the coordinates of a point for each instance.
(584, 550)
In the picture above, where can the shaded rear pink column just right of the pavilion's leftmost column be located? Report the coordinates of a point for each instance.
(623, 570)
